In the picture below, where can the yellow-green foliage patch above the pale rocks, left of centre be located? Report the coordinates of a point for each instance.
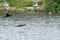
(20, 3)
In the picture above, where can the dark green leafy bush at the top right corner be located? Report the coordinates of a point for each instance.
(52, 5)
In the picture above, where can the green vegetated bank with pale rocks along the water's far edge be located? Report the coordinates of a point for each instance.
(26, 6)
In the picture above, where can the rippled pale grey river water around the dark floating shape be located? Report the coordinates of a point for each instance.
(37, 27)
